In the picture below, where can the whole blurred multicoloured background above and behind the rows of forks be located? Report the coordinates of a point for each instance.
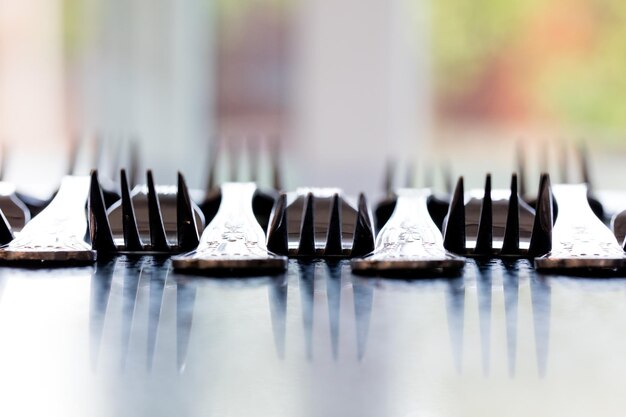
(342, 86)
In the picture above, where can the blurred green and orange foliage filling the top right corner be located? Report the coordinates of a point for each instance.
(569, 56)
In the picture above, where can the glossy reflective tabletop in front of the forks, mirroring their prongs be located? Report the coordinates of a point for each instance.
(132, 338)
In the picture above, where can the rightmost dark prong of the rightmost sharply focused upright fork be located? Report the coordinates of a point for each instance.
(541, 237)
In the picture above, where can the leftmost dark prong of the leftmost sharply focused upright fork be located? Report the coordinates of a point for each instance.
(99, 227)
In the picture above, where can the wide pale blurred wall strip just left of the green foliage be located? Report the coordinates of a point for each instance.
(360, 90)
